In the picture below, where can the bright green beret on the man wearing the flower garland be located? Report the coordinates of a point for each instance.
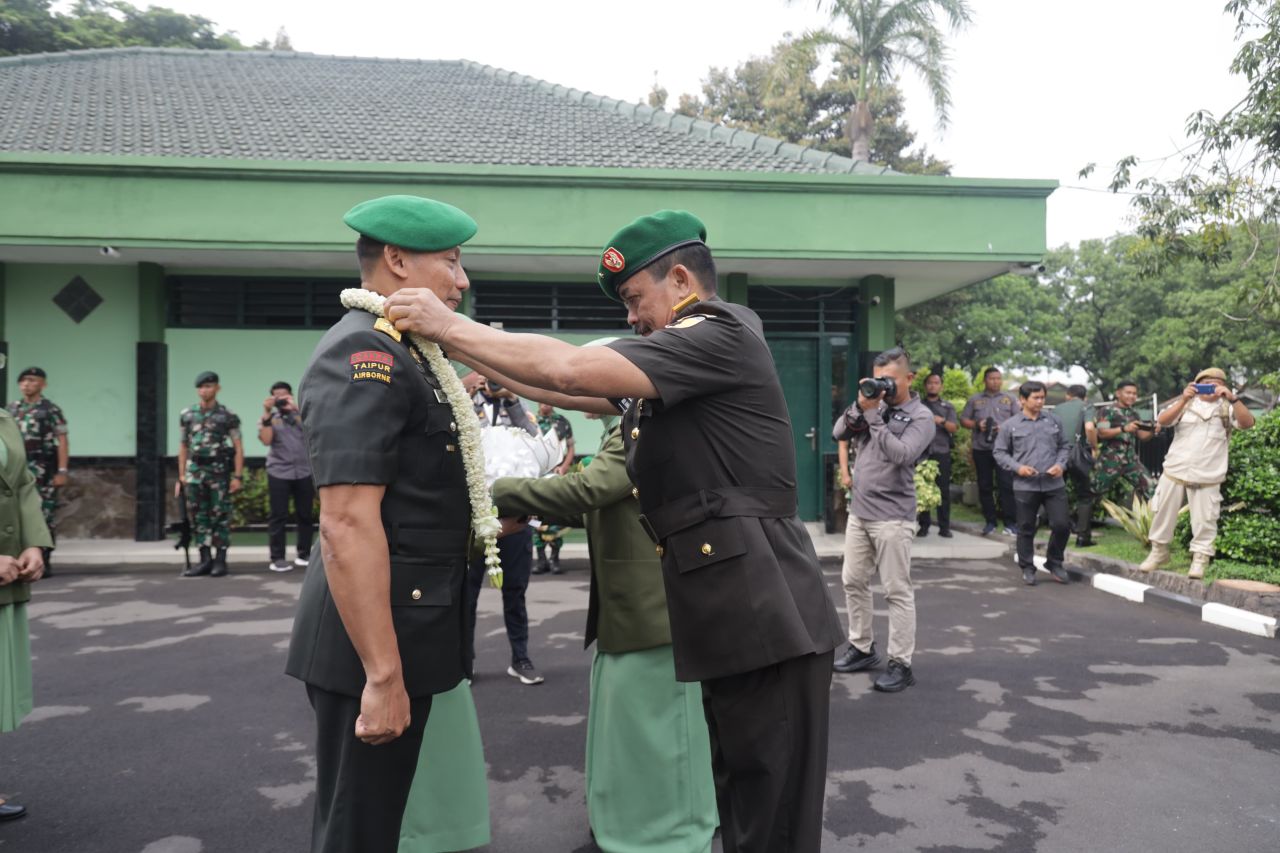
(412, 222)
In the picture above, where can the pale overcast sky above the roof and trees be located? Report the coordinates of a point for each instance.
(1040, 88)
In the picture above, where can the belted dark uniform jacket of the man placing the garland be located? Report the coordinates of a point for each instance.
(715, 466)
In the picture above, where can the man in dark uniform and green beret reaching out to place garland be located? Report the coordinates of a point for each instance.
(711, 454)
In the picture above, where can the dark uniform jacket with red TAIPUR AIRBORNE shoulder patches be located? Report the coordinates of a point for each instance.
(376, 416)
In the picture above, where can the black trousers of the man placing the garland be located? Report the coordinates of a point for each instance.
(769, 733)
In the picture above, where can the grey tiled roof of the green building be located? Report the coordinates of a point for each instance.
(259, 106)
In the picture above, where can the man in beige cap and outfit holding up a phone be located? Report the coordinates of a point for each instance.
(1196, 467)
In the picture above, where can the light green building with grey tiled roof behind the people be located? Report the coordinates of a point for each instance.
(168, 212)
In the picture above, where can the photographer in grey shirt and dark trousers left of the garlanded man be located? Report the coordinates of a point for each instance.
(289, 475)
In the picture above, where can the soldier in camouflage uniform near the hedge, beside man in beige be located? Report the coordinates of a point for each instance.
(1119, 475)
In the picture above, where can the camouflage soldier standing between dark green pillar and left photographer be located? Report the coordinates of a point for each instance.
(211, 459)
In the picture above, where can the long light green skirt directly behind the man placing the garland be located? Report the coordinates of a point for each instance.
(648, 758)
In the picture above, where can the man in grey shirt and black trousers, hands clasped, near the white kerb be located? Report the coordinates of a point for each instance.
(1031, 446)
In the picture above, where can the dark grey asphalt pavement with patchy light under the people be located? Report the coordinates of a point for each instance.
(1044, 719)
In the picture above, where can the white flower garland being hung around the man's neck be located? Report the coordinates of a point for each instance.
(484, 514)
